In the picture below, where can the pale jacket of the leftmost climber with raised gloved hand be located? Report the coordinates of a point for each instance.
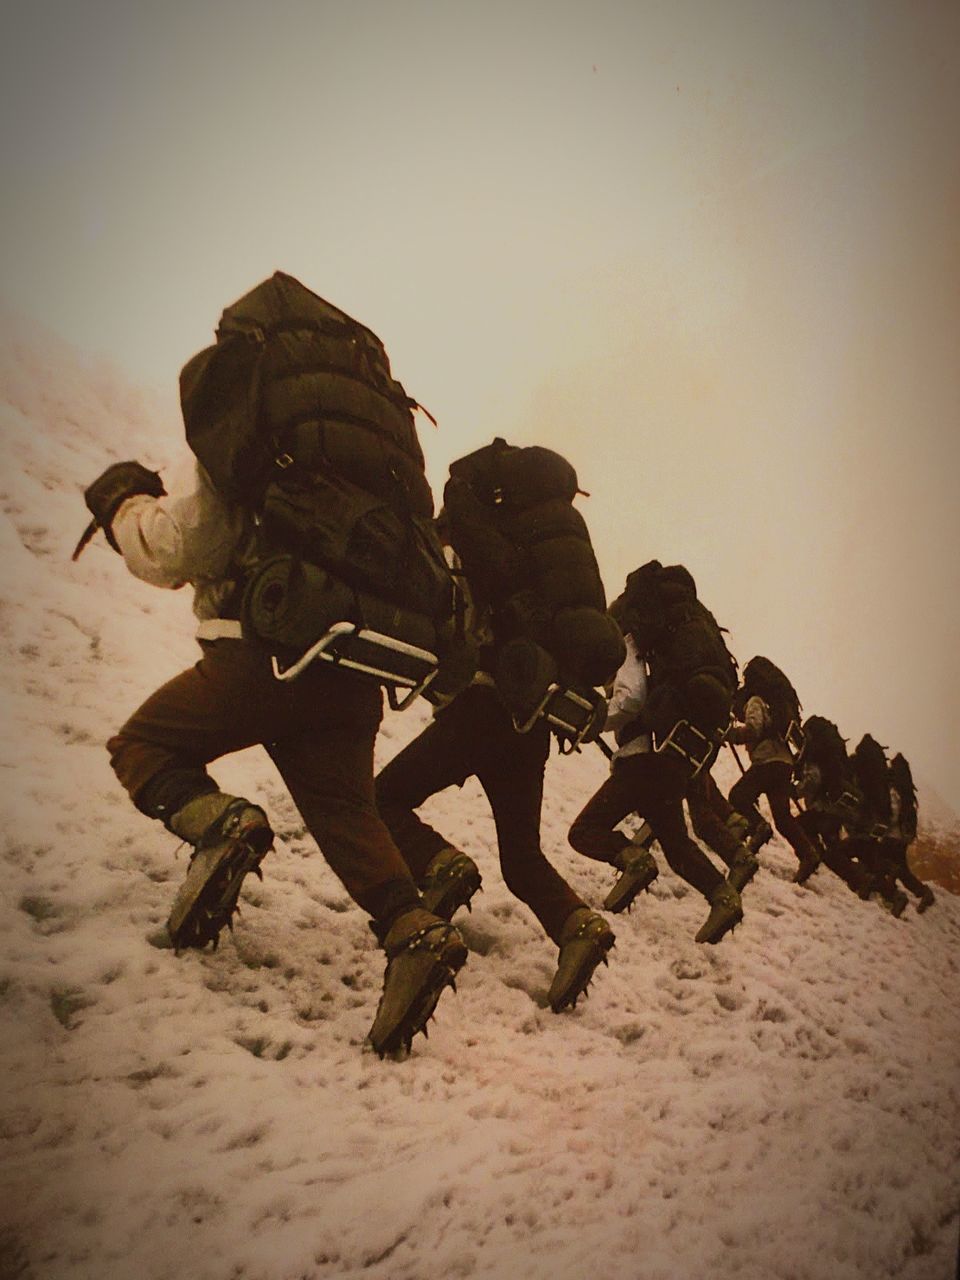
(191, 536)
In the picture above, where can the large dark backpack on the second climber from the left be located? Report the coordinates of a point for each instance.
(527, 554)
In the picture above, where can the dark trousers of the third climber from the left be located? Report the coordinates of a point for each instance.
(652, 787)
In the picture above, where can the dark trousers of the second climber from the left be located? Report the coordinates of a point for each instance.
(476, 738)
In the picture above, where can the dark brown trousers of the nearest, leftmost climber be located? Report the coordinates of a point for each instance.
(319, 730)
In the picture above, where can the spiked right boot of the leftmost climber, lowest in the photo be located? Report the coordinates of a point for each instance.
(424, 956)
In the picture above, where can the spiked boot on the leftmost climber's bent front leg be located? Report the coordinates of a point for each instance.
(230, 838)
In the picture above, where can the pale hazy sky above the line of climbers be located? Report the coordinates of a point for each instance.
(707, 250)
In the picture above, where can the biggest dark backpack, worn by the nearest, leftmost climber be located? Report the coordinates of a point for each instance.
(295, 415)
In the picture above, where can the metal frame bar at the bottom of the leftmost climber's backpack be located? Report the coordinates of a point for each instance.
(395, 662)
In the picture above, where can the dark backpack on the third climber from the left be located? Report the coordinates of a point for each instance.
(693, 674)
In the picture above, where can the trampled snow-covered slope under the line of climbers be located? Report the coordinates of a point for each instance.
(785, 1107)
